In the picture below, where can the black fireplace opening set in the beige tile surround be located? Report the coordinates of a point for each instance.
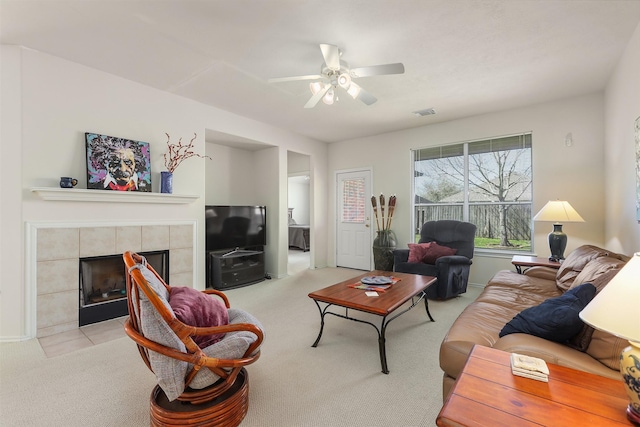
(103, 293)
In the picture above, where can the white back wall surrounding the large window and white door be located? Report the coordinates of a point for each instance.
(572, 173)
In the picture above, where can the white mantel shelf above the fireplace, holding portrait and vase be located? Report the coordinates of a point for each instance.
(82, 195)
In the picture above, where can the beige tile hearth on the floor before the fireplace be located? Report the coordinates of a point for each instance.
(86, 336)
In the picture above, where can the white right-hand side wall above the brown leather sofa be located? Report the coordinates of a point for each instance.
(622, 103)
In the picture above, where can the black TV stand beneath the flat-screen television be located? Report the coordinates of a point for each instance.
(233, 268)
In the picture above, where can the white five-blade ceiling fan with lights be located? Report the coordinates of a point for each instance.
(335, 73)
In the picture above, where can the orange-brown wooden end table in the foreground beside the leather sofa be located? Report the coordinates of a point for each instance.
(487, 394)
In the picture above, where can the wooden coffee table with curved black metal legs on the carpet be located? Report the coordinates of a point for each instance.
(410, 287)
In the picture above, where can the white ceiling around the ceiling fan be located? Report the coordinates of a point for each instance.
(462, 57)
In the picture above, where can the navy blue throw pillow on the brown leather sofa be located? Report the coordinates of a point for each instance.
(556, 319)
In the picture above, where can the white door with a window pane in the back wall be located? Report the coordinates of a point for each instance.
(353, 219)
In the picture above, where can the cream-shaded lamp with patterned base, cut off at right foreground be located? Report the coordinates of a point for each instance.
(615, 310)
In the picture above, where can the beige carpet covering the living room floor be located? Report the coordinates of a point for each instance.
(339, 383)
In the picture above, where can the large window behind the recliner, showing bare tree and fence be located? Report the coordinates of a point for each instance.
(491, 186)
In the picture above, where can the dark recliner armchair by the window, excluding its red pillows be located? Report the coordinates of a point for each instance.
(452, 271)
